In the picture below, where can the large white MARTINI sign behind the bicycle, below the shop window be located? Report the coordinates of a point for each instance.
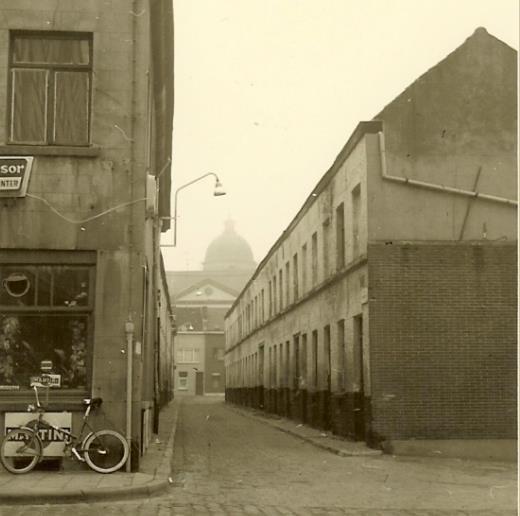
(53, 441)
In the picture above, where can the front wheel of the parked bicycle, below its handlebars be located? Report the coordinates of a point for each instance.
(21, 450)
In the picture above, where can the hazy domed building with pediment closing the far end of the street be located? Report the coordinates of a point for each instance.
(200, 300)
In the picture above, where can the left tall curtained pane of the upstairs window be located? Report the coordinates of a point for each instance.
(29, 103)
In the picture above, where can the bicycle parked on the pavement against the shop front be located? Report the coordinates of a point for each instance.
(104, 451)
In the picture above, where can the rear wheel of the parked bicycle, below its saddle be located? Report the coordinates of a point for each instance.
(106, 451)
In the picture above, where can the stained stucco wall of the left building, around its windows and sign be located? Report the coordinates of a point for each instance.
(112, 172)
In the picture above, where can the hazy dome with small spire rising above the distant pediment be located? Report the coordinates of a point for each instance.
(229, 251)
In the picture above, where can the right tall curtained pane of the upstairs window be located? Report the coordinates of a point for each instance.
(71, 94)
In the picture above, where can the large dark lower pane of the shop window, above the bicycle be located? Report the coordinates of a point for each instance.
(26, 340)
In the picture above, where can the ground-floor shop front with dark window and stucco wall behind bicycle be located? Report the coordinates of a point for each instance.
(80, 324)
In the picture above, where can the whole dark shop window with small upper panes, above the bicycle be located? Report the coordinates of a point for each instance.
(46, 314)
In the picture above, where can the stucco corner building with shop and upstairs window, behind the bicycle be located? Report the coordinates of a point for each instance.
(86, 90)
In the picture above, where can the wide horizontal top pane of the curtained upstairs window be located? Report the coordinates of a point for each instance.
(50, 51)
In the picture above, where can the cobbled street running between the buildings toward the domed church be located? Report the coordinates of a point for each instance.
(226, 462)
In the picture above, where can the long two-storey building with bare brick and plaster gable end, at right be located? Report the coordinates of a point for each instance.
(386, 311)
